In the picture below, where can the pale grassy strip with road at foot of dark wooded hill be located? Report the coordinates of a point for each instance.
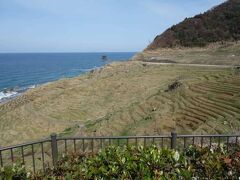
(217, 53)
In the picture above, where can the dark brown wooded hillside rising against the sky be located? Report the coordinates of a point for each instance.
(221, 23)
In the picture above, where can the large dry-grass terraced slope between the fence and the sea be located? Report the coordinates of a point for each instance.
(126, 99)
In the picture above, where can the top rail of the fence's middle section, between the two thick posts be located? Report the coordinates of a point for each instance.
(116, 137)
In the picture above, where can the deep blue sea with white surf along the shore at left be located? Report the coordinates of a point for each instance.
(22, 71)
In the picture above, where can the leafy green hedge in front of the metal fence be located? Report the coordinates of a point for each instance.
(140, 163)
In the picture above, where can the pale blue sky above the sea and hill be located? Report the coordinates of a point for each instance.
(90, 25)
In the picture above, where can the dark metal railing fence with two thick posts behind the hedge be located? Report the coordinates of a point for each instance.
(45, 153)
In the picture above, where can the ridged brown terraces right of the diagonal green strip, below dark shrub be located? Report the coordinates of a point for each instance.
(207, 104)
